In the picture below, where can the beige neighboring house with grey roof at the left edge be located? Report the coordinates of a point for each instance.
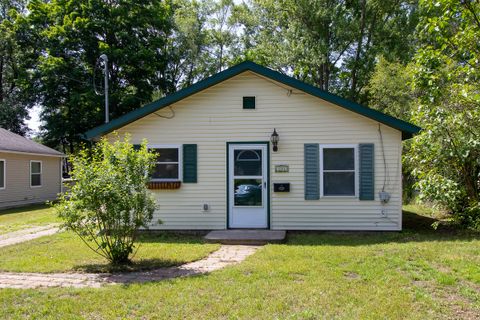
(29, 172)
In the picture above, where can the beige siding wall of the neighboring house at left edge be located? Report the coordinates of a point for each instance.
(18, 190)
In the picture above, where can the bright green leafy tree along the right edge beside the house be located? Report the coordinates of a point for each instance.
(447, 75)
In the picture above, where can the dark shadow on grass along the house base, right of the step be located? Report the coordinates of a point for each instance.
(416, 228)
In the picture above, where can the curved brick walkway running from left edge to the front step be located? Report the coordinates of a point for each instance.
(227, 255)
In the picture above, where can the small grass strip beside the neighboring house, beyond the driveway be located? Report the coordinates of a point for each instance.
(26, 217)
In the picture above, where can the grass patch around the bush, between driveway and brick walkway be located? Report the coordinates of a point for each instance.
(65, 252)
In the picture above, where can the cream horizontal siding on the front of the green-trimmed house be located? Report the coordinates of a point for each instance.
(214, 116)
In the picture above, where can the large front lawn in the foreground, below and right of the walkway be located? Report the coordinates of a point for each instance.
(415, 274)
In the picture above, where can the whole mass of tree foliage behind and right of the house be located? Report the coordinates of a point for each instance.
(418, 62)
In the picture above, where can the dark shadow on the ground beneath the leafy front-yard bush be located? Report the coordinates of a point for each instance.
(139, 265)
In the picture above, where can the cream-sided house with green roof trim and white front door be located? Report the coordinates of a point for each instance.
(218, 169)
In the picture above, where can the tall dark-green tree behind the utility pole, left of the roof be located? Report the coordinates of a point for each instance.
(70, 35)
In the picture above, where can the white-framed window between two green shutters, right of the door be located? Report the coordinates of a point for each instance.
(338, 169)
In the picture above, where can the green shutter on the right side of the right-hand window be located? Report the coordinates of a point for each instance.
(367, 174)
